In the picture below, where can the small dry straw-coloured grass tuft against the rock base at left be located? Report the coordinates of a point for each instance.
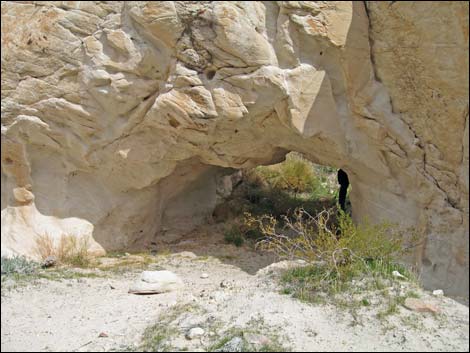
(70, 250)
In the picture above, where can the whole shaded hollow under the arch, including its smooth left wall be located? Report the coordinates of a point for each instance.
(216, 226)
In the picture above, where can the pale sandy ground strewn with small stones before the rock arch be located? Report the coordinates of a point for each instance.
(69, 315)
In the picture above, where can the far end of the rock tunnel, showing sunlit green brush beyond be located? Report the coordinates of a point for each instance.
(279, 189)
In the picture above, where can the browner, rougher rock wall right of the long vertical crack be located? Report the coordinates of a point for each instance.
(420, 53)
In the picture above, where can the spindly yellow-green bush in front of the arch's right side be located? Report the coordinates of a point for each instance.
(337, 249)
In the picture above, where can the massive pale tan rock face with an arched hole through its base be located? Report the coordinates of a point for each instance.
(121, 119)
